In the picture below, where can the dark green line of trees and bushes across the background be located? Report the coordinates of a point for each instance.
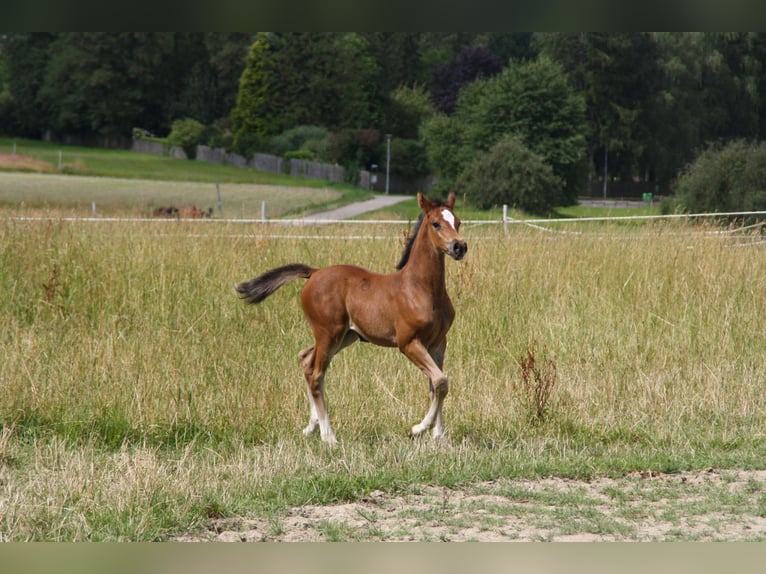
(548, 111)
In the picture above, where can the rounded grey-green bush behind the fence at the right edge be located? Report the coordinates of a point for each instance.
(725, 178)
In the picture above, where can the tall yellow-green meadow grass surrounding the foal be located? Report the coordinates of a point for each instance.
(139, 397)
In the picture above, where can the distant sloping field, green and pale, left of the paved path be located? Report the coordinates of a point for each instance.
(125, 183)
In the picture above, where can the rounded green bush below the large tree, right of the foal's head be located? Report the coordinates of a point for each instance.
(511, 174)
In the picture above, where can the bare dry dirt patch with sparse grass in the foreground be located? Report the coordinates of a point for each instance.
(707, 505)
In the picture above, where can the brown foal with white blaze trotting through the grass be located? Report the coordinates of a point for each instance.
(408, 309)
